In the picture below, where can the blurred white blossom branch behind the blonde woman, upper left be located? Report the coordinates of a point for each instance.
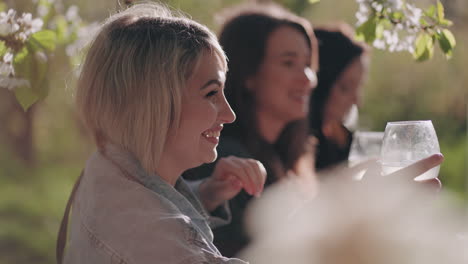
(26, 43)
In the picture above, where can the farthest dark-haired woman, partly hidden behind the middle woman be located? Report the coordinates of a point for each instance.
(343, 66)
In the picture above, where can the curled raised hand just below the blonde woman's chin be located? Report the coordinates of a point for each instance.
(230, 176)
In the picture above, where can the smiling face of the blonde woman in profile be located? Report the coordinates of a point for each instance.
(204, 111)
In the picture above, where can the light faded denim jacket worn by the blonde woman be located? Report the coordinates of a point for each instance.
(117, 220)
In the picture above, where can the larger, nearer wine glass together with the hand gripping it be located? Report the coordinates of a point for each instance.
(410, 152)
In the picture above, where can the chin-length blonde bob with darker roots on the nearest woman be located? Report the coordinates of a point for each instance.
(132, 80)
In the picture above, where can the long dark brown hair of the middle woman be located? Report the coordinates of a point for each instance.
(244, 38)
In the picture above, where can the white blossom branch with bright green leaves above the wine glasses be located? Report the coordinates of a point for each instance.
(396, 25)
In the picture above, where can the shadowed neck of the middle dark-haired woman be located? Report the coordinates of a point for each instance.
(269, 127)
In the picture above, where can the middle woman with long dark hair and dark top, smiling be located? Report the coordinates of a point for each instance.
(272, 63)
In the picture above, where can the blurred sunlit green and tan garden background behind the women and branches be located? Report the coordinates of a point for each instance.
(43, 150)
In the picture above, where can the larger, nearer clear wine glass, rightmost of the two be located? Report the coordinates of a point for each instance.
(406, 142)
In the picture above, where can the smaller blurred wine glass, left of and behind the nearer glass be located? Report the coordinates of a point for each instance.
(365, 145)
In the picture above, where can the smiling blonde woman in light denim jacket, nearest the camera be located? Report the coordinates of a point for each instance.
(151, 94)
